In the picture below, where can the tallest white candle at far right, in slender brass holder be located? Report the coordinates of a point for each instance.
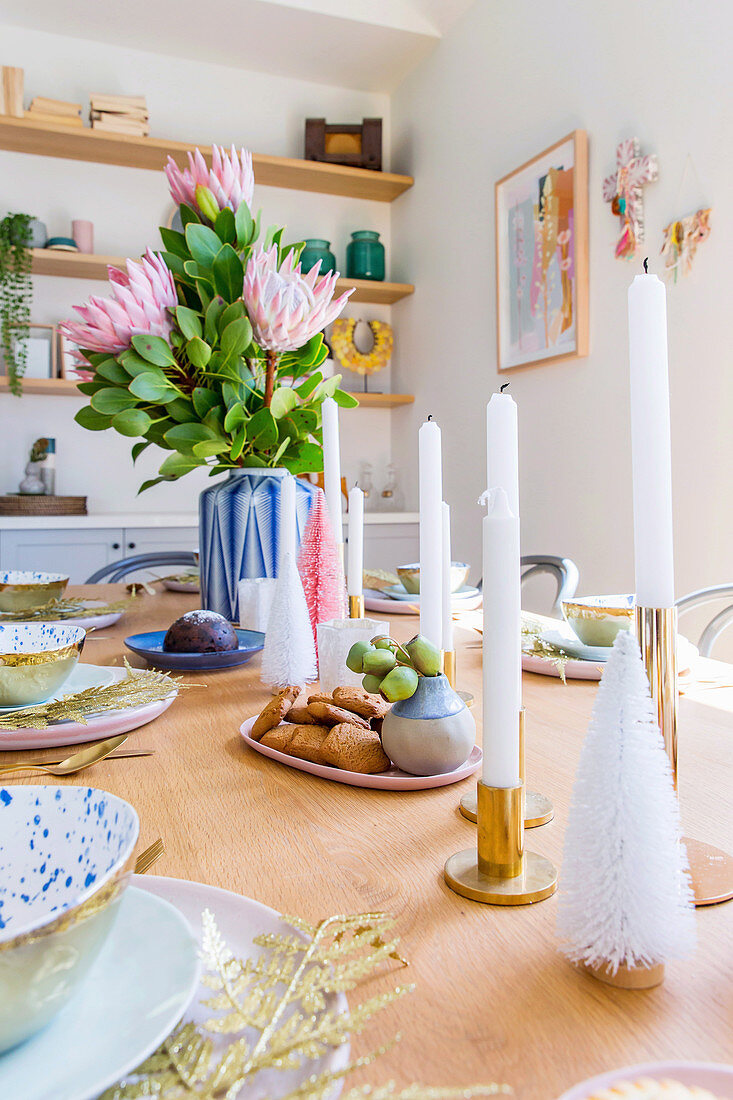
(651, 443)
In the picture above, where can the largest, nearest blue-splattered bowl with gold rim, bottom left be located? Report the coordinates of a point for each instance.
(63, 851)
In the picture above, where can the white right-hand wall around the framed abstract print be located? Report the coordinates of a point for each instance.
(511, 79)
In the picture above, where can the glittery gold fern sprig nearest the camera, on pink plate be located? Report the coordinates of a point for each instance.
(275, 1013)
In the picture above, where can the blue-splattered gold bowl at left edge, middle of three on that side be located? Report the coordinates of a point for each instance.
(36, 659)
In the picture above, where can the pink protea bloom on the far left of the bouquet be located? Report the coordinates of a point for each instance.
(141, 301)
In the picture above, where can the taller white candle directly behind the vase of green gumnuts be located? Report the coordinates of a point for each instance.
(431, 501)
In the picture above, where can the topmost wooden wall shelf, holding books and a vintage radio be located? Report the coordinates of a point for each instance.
(23, 136)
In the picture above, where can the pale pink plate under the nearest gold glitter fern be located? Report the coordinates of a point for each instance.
(239, 921)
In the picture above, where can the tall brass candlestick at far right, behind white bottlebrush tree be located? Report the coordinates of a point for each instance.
(712, 870)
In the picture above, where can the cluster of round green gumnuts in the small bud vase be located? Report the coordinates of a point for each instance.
(391, 669)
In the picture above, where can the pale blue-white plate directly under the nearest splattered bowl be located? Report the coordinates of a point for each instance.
(133, 998)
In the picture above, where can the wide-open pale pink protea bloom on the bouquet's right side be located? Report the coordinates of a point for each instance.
(286, 307)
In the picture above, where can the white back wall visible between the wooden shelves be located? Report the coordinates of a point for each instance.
(190, 102)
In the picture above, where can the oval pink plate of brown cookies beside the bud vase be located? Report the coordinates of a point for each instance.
(337, 738)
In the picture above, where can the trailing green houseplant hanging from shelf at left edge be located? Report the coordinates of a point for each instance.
(16, 295)
